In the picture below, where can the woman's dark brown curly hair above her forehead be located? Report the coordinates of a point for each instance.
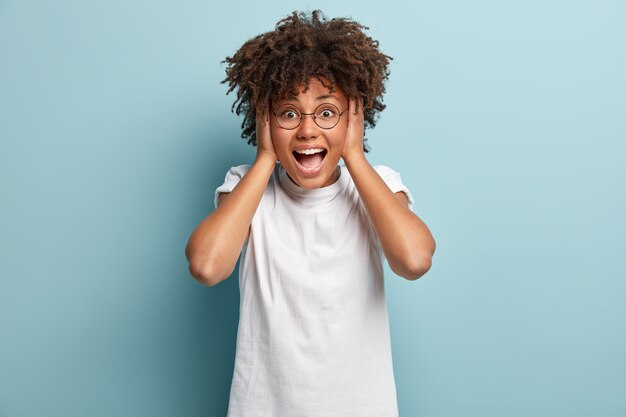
(277, 63)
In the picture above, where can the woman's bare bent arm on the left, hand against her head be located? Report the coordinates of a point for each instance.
(214, 246)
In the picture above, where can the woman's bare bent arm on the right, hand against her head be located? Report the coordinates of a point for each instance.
(407, 242)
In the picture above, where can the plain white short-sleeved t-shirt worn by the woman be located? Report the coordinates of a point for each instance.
(313, 337)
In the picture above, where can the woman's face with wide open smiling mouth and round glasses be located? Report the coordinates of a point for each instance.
(309, 153)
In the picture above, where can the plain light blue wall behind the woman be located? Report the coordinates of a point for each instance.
(505, 119)
